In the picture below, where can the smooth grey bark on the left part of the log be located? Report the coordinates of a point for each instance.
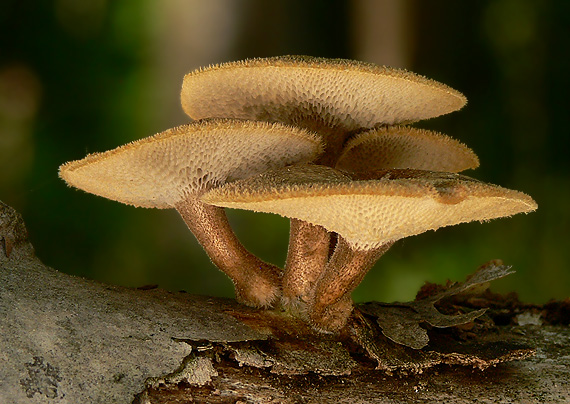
(71, 340)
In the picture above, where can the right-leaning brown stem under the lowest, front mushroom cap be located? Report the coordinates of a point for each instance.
(331, 304)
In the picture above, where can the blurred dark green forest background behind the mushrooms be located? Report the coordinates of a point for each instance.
(84, 76)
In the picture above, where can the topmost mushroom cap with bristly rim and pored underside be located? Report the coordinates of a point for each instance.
(315, 92)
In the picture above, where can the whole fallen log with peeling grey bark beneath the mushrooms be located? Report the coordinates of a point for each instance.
(65, 339)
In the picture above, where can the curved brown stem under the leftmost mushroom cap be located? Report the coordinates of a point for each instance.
(256, 282)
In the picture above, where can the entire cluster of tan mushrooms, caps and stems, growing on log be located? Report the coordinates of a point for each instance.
(322, 142)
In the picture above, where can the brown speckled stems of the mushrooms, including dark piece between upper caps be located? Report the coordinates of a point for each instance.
(321, 270)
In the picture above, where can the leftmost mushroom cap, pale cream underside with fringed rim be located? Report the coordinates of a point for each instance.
(161, 170)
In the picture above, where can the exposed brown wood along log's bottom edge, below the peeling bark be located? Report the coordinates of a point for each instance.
(542, 379)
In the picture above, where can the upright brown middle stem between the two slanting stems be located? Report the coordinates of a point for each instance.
(306, 259)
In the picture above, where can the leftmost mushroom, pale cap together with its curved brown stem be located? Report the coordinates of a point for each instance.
(174, 168)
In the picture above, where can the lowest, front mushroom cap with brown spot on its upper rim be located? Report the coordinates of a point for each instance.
(371, 209)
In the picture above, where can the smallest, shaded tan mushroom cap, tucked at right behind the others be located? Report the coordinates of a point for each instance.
(405, 147)
